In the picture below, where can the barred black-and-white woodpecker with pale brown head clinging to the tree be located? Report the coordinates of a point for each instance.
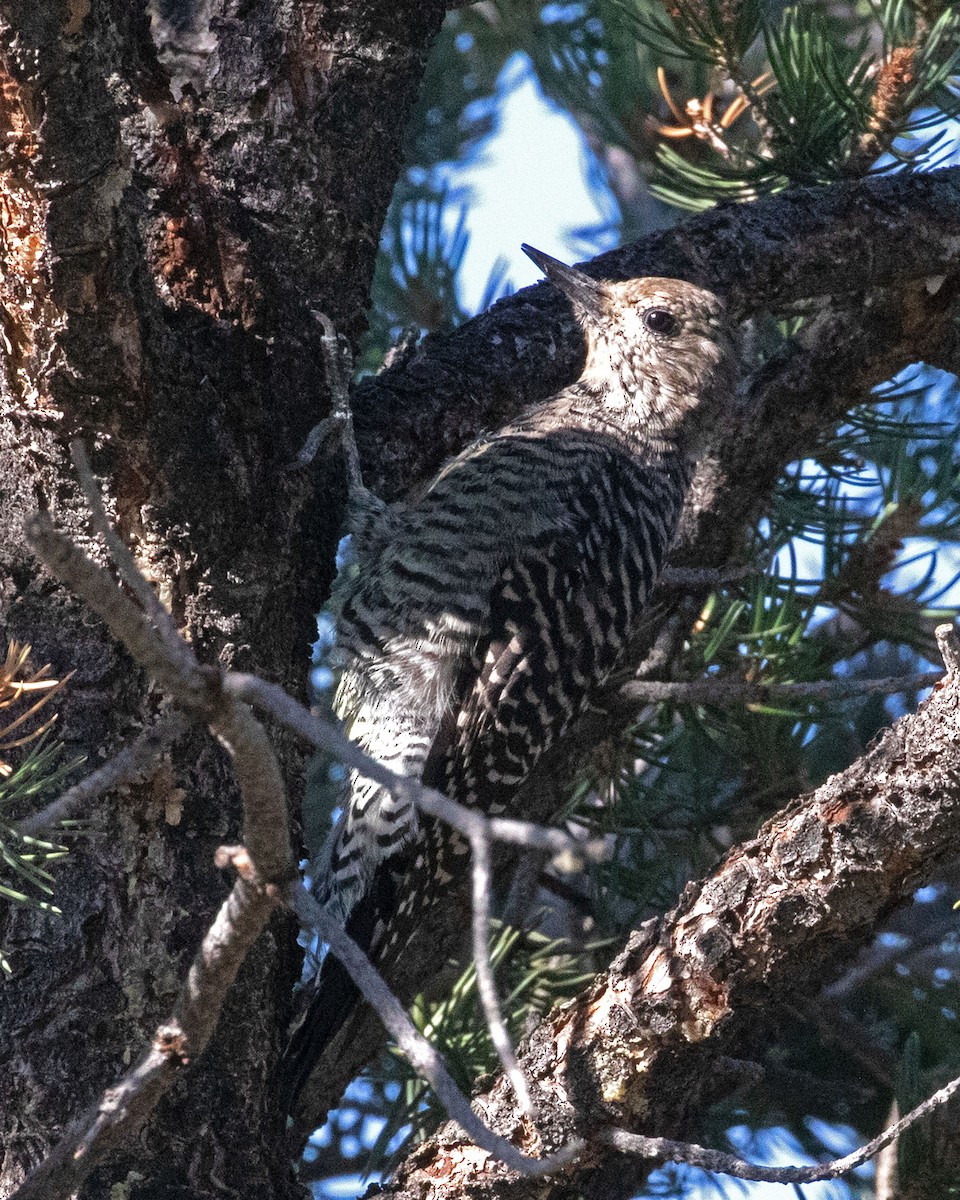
(481, 620)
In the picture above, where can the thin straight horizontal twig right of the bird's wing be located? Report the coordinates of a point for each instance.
(742, 692)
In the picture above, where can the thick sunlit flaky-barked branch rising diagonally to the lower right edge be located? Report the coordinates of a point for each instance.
(647, 1046)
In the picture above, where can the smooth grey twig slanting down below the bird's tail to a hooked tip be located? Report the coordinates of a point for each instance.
(419, 1053)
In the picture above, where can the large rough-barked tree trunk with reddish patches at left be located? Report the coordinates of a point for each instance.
(183, 190)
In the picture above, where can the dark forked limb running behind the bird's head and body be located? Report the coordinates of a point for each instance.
(861, 255)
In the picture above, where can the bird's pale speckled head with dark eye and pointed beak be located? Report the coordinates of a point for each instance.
(662, 355)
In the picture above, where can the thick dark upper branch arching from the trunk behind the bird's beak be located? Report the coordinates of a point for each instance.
(839, 241)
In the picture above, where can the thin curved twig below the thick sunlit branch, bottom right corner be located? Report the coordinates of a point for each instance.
(729, 1165)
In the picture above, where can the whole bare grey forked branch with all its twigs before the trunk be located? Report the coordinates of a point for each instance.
(266, 872)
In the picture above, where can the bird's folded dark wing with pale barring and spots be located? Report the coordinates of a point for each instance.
(561, 616)
